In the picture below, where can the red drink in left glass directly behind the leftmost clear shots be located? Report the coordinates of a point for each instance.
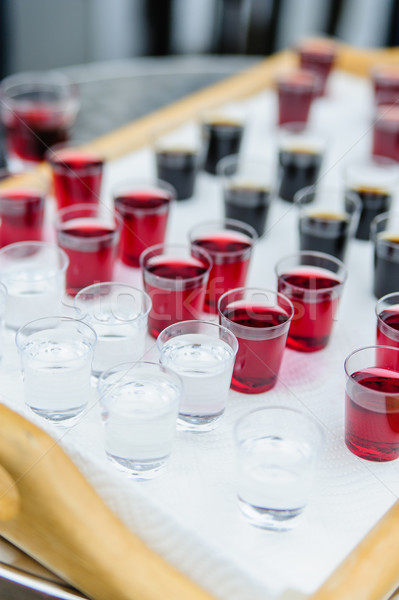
(91, 249)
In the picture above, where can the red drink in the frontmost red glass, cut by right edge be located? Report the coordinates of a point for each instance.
(372, 414)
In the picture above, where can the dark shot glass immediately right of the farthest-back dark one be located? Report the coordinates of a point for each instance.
(300, 157)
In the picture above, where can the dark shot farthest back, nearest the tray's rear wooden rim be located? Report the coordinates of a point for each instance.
(222, 133)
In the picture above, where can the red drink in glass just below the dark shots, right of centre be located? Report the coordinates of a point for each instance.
(315, 293)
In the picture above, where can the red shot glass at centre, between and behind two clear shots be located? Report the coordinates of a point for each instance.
(175, 277)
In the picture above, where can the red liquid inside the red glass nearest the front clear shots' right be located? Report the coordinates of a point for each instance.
(258, 360)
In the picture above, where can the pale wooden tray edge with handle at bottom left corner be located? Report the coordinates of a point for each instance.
(50, 511)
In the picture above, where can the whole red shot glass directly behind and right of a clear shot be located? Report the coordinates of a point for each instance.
(260, 320)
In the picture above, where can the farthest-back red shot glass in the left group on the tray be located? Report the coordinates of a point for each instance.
(77, 174)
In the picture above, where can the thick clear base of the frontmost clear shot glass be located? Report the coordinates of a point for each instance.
(271, 518)
